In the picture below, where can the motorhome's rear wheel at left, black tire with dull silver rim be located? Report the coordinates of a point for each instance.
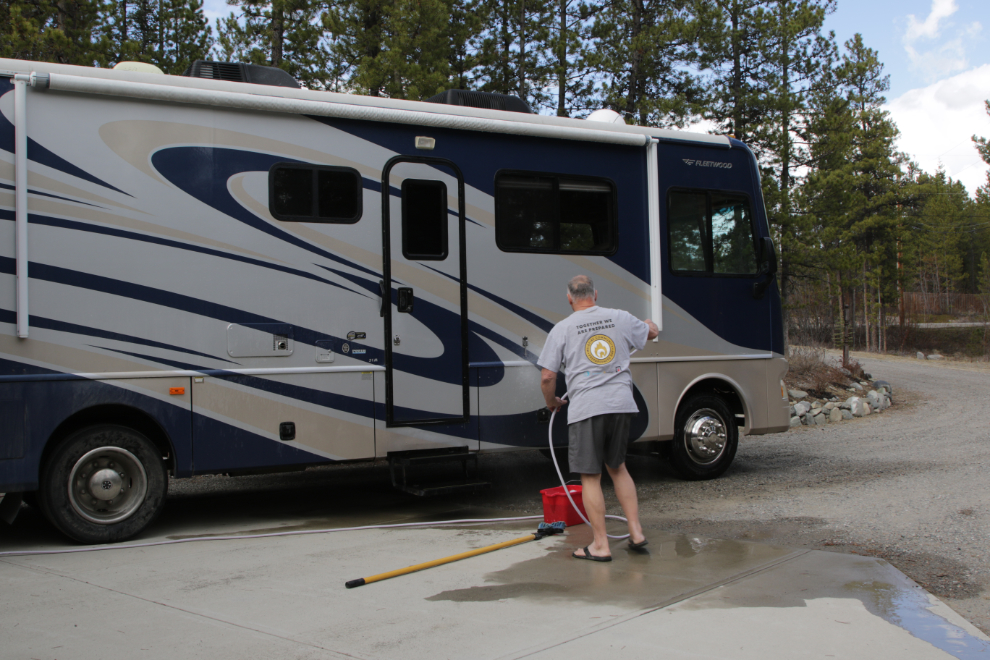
(103, 484)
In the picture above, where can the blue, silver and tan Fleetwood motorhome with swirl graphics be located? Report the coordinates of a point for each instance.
(223, 273)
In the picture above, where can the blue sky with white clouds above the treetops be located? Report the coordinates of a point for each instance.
(937, 53)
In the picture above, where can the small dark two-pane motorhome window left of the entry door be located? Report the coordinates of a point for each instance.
(301, 193)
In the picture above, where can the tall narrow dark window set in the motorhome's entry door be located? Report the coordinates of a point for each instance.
(424, 220)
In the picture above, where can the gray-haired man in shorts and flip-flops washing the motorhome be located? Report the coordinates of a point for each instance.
(595, 344)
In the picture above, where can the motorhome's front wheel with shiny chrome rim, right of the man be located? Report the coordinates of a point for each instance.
(705, 450)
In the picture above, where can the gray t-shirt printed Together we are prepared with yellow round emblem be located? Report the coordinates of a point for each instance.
(595, 345)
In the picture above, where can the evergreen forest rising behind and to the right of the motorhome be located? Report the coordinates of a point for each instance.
(871, 247)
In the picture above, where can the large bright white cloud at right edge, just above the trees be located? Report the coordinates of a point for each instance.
(937, 122)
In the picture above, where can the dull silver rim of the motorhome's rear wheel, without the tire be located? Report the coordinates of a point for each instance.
(107, 485)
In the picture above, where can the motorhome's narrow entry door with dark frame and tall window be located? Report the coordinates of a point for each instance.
(424, 290)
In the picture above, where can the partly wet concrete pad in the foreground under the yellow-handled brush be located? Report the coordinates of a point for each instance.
(284, 597)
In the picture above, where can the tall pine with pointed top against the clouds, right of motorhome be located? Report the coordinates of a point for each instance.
(852, 195)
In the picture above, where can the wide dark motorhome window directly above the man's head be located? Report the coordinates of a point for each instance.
(550, 213)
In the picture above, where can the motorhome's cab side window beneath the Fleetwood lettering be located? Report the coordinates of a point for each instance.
(710, 233)
